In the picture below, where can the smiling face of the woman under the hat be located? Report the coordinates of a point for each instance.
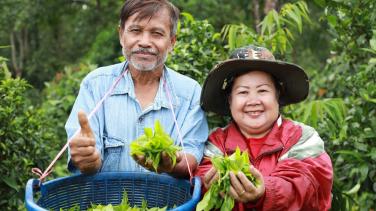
(254, 103)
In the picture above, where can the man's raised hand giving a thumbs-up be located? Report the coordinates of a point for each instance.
(83, 153)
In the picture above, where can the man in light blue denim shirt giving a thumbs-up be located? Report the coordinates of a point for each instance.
(147, 91)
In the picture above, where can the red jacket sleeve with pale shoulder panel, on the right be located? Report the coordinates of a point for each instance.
(300, 182)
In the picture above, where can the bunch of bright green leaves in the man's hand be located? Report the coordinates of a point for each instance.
(151, 145)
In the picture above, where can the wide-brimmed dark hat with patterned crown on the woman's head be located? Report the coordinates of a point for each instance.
(292, 79)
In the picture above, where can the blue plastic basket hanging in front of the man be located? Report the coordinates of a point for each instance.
(108, 188)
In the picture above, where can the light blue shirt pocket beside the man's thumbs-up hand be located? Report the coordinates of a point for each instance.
(113, 148)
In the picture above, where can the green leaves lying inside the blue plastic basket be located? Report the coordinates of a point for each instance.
(123, 206)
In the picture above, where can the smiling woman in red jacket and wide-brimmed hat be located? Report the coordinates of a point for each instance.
(288, 157)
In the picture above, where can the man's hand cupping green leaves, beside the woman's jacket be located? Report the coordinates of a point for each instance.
(165, 165)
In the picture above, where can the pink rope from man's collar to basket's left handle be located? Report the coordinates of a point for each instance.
(43, 175)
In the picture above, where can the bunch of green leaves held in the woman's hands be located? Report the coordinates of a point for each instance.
(239, 161)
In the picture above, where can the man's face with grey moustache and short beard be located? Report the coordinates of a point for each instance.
(147, 42)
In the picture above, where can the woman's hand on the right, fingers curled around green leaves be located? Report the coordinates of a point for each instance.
(242, 189)
